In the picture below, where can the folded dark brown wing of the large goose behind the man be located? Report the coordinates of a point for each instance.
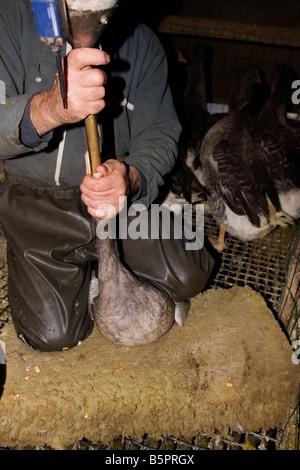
(239, 173)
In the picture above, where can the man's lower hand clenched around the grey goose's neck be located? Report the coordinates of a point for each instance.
(105, 196)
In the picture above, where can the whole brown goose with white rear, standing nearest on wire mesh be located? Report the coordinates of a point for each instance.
(243, 198)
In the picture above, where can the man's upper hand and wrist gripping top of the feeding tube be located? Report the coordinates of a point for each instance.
(85, 92)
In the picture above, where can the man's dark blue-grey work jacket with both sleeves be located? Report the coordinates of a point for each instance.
(145, 124)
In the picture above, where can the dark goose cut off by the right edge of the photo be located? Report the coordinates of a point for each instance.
(281, 141)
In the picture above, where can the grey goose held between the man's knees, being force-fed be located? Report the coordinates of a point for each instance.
(129, 310)
